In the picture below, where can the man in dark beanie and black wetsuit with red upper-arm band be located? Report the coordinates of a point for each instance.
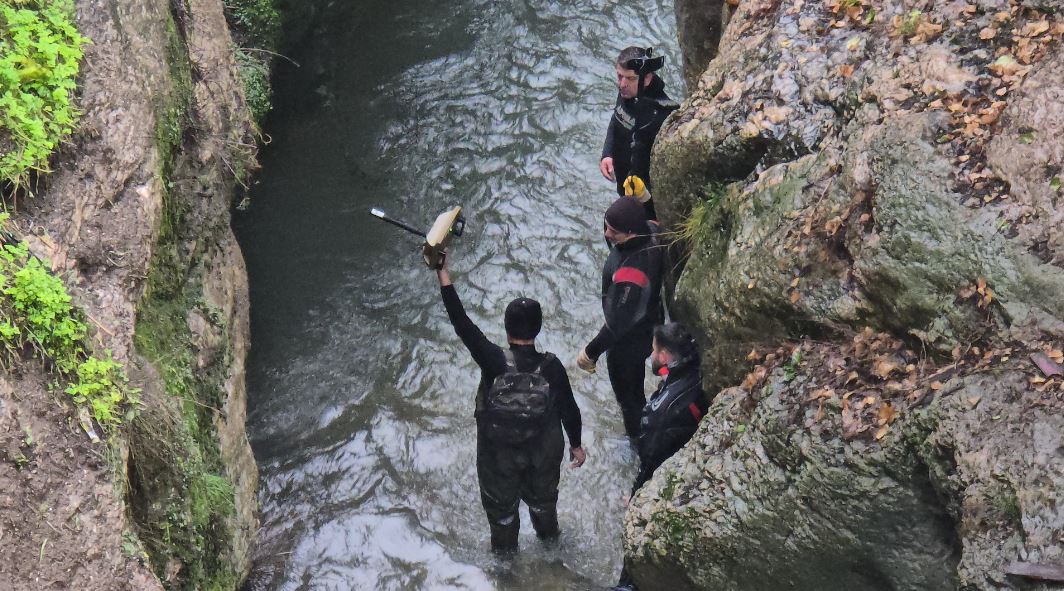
(633, 306)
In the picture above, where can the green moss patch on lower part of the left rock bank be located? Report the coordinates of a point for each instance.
(180, 497)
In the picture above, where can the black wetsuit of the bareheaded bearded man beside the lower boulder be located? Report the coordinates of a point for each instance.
(670, 418)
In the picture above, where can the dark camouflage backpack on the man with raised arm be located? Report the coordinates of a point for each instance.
(518, 407)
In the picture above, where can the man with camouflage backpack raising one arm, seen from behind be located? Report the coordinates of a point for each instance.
(523, 402)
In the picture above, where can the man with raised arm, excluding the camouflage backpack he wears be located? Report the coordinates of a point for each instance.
(529, 472)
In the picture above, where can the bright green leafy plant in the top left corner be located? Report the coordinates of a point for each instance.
(40, 58)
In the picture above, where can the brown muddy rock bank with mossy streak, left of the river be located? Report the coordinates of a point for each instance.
(136, 220)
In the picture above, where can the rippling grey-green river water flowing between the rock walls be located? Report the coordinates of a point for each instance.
(361, 396)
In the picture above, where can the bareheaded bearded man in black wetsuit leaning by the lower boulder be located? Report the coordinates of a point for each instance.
(672, 415)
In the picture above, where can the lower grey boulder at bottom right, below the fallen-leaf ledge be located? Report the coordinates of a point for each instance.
(769, 497)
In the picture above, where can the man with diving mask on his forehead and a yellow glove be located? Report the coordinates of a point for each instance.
(641, 109)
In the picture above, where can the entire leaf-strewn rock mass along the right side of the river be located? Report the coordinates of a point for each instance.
(854, 165)
